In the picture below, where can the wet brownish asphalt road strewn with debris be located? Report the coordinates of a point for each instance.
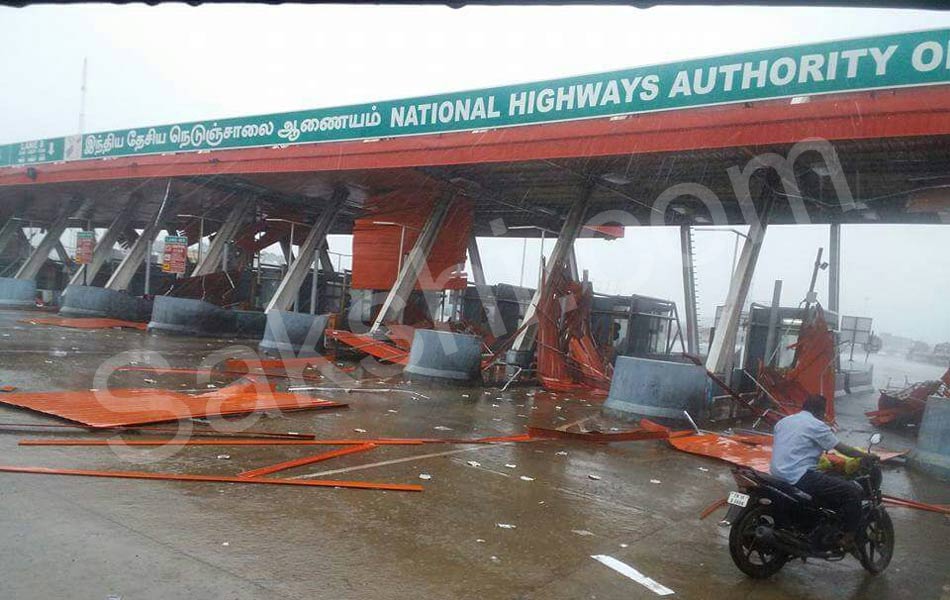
(83, 538)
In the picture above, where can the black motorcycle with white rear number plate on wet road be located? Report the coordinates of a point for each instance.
(773, 522)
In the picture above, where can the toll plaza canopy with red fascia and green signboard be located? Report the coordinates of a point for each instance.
(857, 129)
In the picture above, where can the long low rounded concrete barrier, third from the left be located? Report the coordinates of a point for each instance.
(188, 316)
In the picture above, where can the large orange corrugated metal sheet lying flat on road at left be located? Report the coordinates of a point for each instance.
(111, 408)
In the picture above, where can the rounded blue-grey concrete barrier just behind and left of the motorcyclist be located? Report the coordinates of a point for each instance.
(657, 388)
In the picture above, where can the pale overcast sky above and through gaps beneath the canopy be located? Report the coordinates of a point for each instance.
(153, 65)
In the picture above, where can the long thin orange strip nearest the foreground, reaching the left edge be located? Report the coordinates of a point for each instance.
(360, 485)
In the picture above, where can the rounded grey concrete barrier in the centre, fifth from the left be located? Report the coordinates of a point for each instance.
(445, 356)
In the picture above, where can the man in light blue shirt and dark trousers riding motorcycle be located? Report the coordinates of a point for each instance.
(798, 444)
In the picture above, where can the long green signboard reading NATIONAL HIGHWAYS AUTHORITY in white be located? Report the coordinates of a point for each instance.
(891, 61)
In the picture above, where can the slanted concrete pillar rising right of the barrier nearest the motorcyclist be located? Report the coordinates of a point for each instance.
(723, 345)
